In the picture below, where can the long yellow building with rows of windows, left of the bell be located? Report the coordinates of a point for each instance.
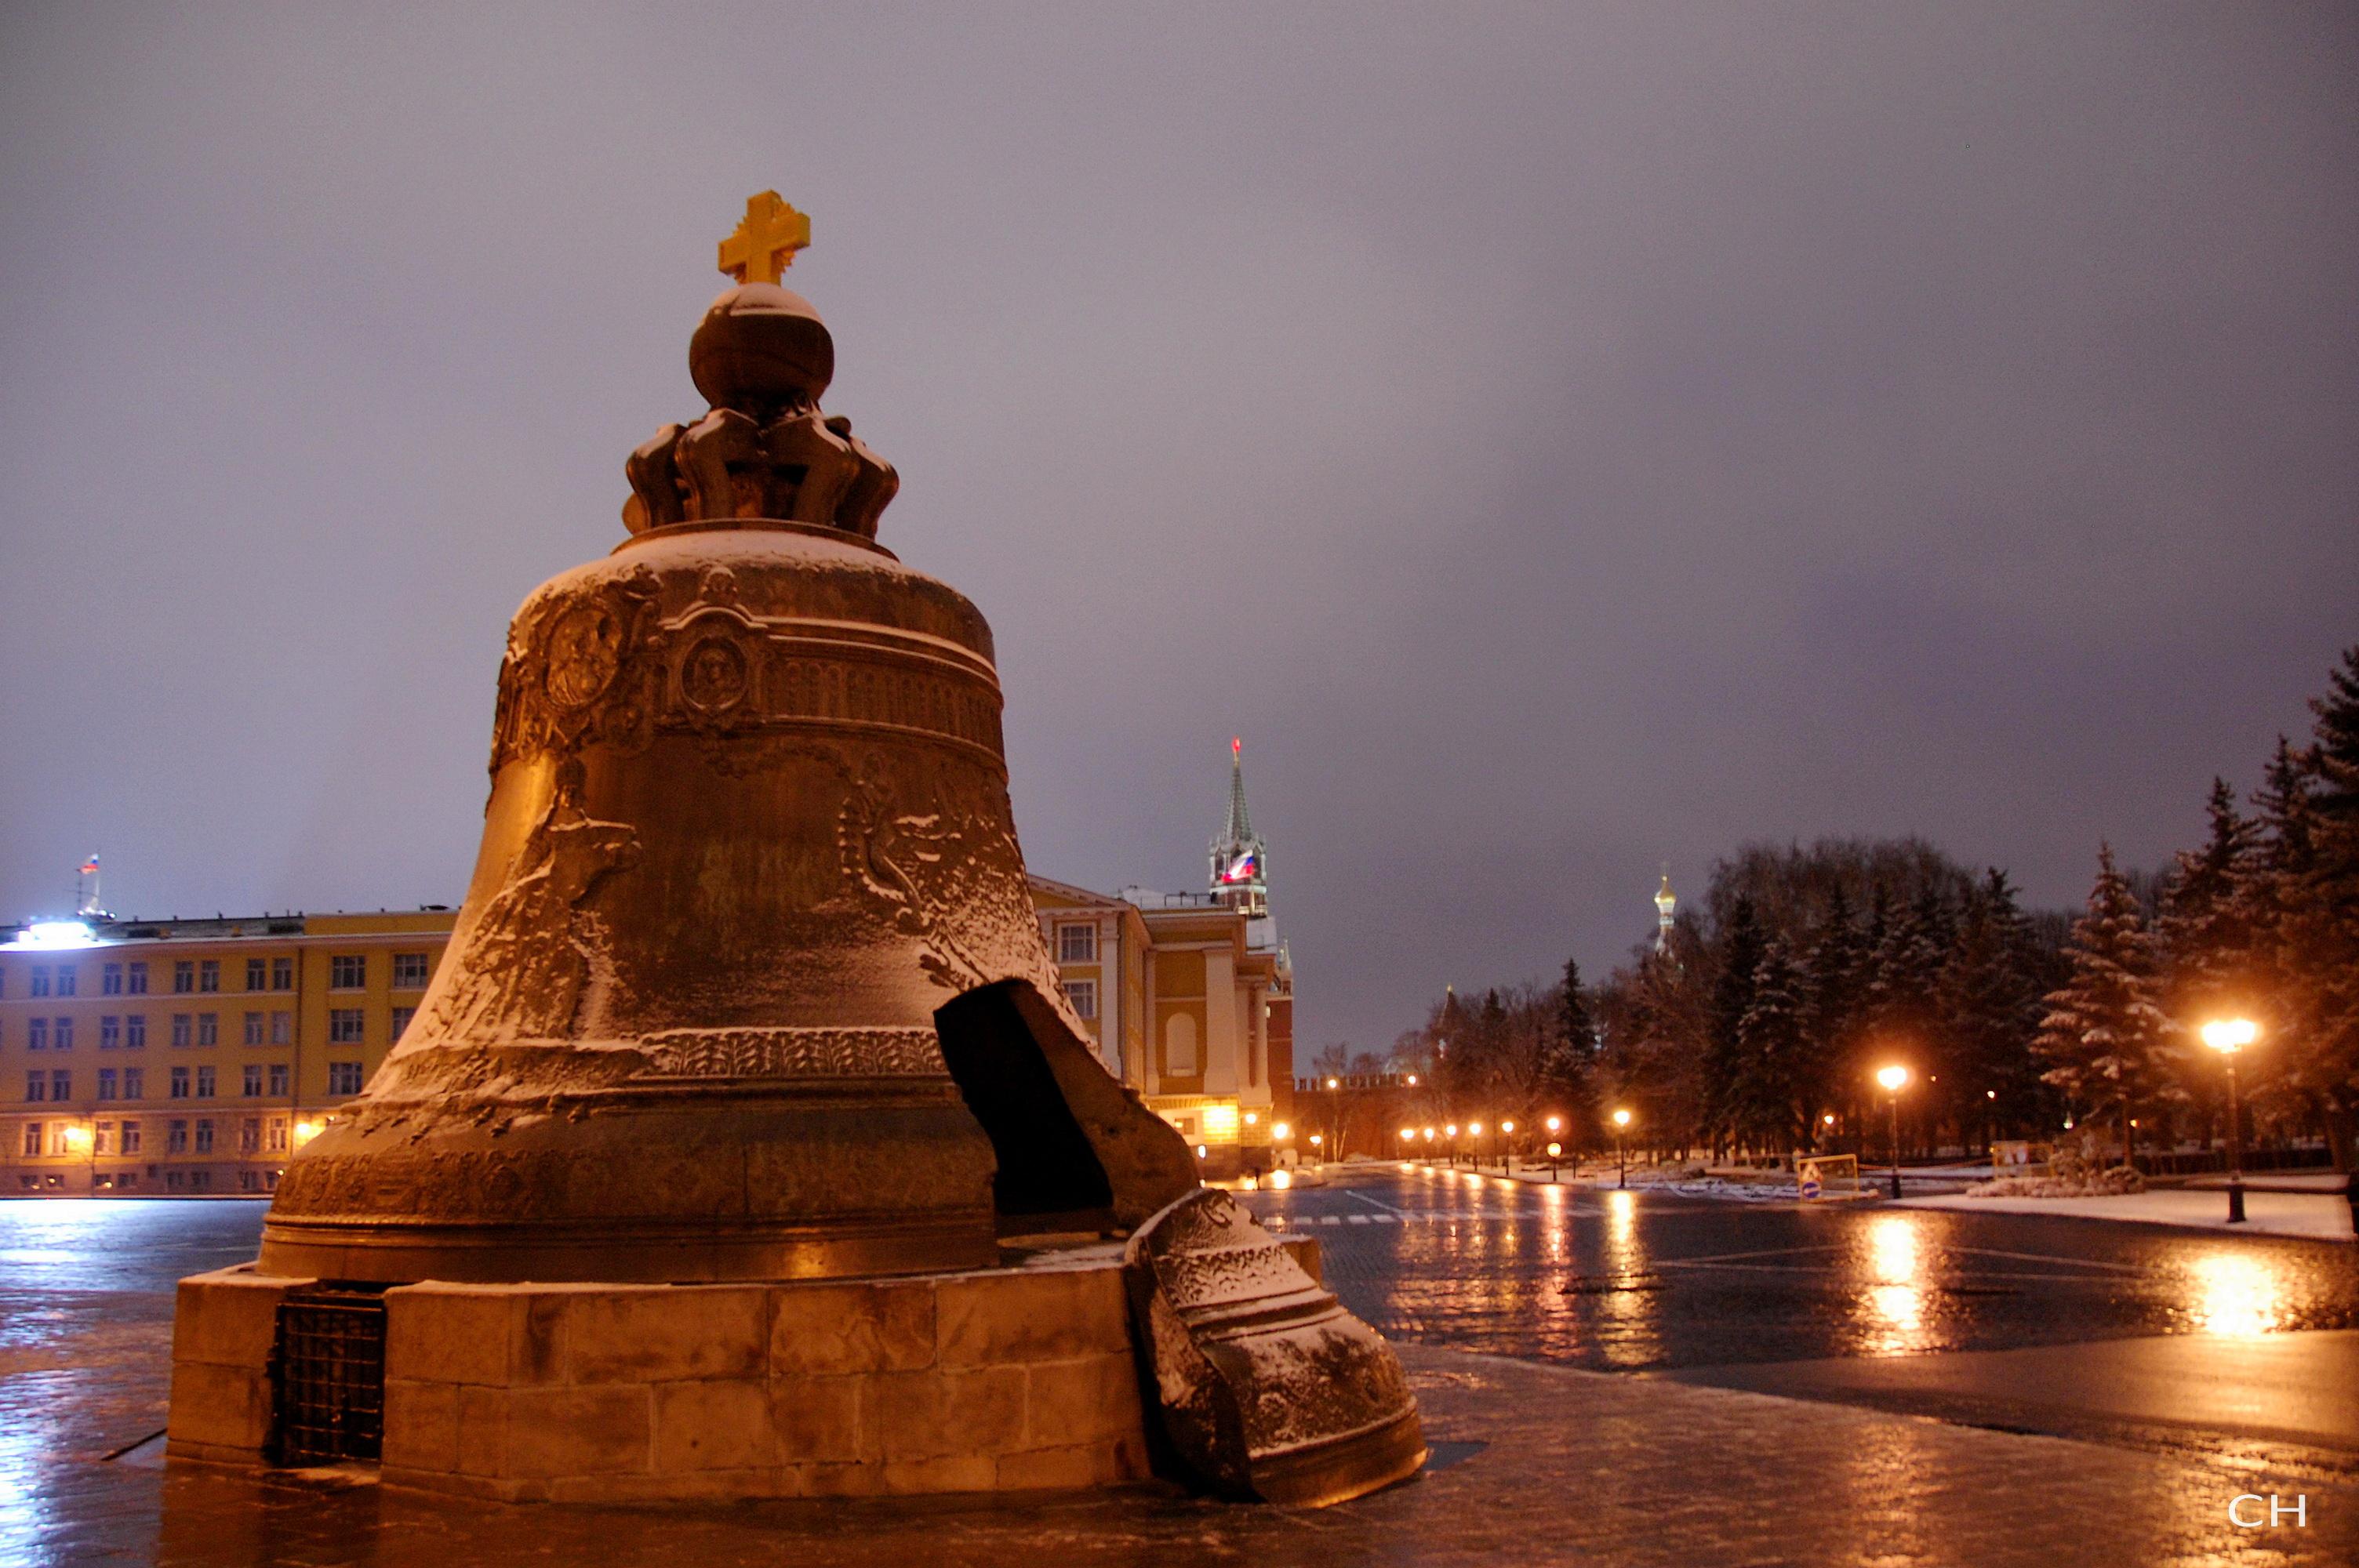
(157, 1058)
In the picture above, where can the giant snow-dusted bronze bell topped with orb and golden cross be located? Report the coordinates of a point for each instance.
(749, 980)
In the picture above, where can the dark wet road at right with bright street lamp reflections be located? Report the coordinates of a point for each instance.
(1641, 1282)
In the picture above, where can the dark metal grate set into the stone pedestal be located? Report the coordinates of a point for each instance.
(329, 1378)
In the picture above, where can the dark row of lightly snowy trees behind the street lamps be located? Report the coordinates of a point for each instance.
(1759, 1027)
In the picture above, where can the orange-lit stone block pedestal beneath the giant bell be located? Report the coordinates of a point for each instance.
(1016, 1378)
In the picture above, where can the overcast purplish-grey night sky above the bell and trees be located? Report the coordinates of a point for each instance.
(1556, 440)
